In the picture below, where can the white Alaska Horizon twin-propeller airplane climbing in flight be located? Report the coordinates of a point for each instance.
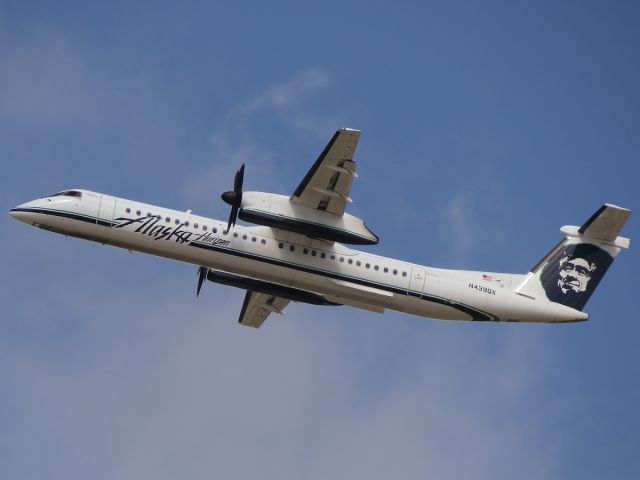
(297, 251)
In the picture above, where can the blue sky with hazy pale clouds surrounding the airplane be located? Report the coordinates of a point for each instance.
(485, 128)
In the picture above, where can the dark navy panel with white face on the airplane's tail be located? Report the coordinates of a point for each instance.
(573, 272)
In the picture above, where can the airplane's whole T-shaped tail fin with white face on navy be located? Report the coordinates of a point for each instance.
(570, 273)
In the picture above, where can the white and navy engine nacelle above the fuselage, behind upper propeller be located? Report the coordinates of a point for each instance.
(278, 211)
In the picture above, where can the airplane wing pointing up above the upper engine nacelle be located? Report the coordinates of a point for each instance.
(327, 184)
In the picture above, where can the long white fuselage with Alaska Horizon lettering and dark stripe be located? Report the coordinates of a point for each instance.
(338, 273)
